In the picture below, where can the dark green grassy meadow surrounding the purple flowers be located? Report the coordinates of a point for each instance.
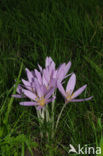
(65, 30)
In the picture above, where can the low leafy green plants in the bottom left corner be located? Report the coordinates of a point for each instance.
(11, 145)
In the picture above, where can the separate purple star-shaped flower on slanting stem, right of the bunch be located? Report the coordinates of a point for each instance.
(68, 94)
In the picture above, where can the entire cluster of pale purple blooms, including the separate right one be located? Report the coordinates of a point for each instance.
(40, 86)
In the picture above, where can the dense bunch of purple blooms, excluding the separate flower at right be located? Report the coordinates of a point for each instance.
(40, 85)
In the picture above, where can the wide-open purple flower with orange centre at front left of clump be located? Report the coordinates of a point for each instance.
(37, 96)
